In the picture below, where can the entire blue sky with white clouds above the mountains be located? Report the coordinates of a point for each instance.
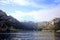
(31, 10)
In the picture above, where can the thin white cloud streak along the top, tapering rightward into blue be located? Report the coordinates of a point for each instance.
(25, 3)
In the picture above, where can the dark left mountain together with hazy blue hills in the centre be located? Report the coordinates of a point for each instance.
(7, 22)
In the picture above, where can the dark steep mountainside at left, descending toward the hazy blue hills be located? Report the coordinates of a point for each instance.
(7, 21)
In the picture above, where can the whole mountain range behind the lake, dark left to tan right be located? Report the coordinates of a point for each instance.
(8, 23)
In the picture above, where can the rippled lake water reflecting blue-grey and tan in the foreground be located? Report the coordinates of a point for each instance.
(29, 35)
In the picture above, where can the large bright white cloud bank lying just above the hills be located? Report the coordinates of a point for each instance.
(39, 15)
